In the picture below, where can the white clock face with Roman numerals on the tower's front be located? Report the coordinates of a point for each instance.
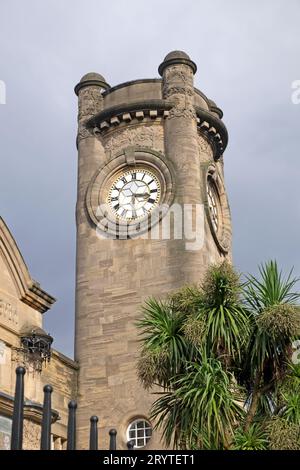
(134, 194)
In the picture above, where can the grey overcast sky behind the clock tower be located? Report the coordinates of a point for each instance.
(248, 55)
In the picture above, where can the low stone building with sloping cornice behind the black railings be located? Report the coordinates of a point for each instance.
(22, 305)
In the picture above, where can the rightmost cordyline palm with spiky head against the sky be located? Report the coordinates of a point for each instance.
(275, 324)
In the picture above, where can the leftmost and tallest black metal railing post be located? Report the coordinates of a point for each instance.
(18, 413)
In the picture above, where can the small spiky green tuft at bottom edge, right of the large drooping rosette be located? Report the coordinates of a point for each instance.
(253, 439)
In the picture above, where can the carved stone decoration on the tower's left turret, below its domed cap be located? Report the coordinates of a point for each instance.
(89, 103)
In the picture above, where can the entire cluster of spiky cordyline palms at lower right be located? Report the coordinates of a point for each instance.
(213, 347)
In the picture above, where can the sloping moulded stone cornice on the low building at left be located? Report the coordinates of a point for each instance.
(29, 290)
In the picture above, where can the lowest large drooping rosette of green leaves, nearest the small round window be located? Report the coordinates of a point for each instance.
(201, 409)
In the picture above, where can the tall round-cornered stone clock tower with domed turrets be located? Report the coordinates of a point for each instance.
(147, 149)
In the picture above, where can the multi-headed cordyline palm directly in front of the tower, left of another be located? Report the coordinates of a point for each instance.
(190, 344)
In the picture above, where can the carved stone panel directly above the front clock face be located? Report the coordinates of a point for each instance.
(151, 136)
